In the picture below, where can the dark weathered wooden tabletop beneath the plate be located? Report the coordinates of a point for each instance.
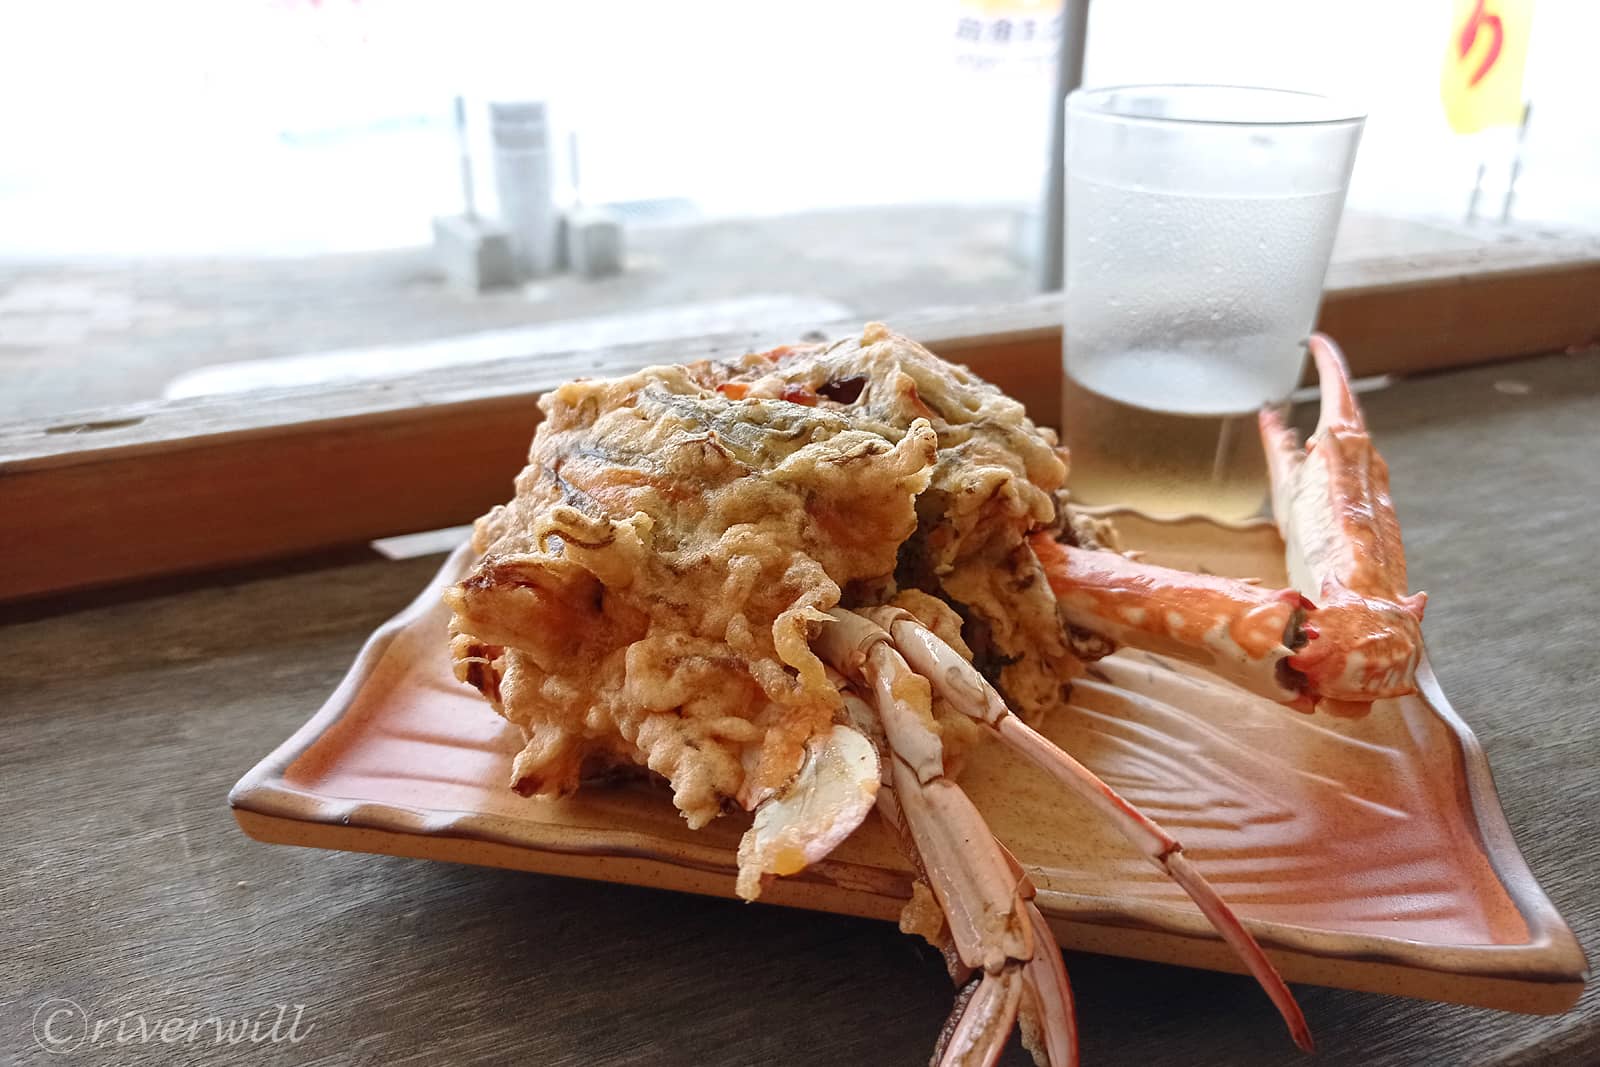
(130, 893)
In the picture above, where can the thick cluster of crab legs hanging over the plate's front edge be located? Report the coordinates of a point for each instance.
(982, 892)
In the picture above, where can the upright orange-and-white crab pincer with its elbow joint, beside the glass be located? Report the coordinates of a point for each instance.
(1343, 541)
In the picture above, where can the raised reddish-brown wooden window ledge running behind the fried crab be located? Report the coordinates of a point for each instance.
(186, 486)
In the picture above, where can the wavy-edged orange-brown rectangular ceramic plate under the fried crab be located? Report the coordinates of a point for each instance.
(1364, 853)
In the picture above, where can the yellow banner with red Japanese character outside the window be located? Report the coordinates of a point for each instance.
(1484, 63)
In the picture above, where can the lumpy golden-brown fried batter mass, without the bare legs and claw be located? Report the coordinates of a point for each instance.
(650, 594)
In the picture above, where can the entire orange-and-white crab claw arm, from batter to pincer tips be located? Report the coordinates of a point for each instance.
(1346, 636)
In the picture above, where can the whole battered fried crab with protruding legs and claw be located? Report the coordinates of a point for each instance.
(807, 581)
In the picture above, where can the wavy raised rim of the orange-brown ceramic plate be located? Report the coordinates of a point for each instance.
(1551, 956)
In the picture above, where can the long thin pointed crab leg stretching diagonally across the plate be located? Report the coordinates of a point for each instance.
(969, 692)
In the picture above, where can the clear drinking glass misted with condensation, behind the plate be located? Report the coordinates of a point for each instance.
(1199, 223)
